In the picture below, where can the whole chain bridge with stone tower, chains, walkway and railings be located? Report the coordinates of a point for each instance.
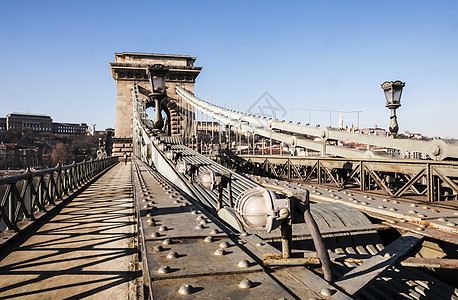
(213, 203)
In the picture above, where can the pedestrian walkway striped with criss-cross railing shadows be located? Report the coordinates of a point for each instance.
(86, 251)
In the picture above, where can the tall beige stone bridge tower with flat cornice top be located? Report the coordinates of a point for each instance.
(130, 68)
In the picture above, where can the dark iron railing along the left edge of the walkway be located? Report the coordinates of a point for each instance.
(25, 196)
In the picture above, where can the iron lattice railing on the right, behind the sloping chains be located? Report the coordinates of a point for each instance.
(432, 180)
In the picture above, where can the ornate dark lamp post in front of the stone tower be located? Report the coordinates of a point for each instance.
(156, 75)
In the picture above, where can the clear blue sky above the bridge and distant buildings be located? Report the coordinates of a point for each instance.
(54, 56)
